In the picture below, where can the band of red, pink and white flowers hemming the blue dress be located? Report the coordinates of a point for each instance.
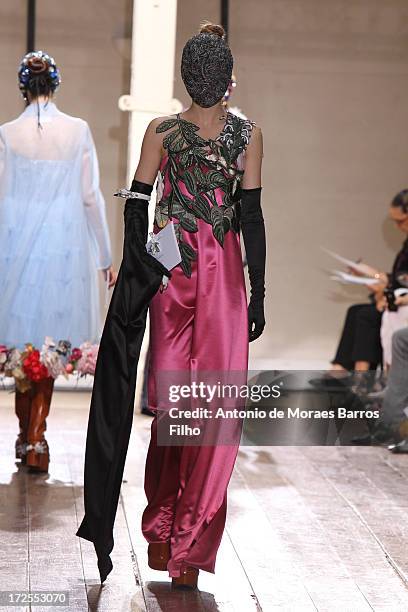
(32, 365)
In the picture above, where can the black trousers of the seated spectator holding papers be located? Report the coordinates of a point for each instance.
(360, 339)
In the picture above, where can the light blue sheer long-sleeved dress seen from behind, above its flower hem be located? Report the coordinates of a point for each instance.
(53, 229)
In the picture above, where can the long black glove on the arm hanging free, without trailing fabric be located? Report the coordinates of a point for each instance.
(253, 232)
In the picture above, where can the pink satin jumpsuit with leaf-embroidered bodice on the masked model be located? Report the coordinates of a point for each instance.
(200, 322)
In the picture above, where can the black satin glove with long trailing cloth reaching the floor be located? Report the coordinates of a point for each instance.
(112, 402)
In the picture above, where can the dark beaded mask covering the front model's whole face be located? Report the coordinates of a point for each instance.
(206, 68)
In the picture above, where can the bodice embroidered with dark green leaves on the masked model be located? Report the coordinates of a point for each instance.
(200, 179)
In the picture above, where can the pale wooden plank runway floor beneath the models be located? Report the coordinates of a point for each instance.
(308, 528)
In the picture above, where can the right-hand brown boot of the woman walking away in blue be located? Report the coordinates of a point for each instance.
(38, 455)
